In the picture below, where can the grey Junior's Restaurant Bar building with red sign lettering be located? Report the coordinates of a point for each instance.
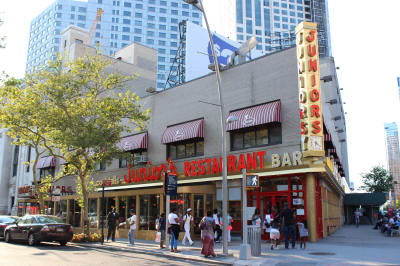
(268, 139)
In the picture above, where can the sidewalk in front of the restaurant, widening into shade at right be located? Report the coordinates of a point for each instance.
(348, 246)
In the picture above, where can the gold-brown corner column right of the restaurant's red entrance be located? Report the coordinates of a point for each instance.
(311, 207)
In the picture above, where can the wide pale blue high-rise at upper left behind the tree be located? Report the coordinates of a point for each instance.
(149, 22)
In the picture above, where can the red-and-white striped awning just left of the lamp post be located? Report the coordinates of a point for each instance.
(188, 130)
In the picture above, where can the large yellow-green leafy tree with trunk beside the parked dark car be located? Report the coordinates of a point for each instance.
(83, 110)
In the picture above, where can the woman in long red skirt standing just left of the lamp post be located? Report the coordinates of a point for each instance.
(207, 226)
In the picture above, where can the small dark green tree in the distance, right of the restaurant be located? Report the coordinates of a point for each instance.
(377, 180)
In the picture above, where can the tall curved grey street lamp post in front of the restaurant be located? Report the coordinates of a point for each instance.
(199, 5)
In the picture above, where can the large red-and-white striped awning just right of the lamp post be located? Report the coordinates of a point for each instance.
(256, 115)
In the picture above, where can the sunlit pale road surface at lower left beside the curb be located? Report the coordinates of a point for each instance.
(20, 254)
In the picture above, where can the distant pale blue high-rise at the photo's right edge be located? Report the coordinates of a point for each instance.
(393, 154)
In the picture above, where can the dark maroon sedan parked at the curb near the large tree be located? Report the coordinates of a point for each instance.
(38, 228)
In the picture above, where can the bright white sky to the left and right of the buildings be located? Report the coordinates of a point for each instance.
(365, 44)
